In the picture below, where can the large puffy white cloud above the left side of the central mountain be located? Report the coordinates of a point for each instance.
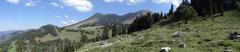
(80, 5)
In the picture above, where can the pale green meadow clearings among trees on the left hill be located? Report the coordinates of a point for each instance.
(72, 35)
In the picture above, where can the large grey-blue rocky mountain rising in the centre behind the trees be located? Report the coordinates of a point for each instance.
(99, 19)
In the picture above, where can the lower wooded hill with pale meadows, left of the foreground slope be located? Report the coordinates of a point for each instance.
(34, 40)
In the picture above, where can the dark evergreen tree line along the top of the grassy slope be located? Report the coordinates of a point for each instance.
(186, 11)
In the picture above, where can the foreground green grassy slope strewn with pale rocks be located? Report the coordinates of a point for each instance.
(207, 35)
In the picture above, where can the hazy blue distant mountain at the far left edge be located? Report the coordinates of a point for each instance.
(5, 35)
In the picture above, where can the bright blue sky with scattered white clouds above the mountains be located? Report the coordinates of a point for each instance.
(32, 14)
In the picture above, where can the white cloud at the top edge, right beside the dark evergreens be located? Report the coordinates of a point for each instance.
(174, 2)
